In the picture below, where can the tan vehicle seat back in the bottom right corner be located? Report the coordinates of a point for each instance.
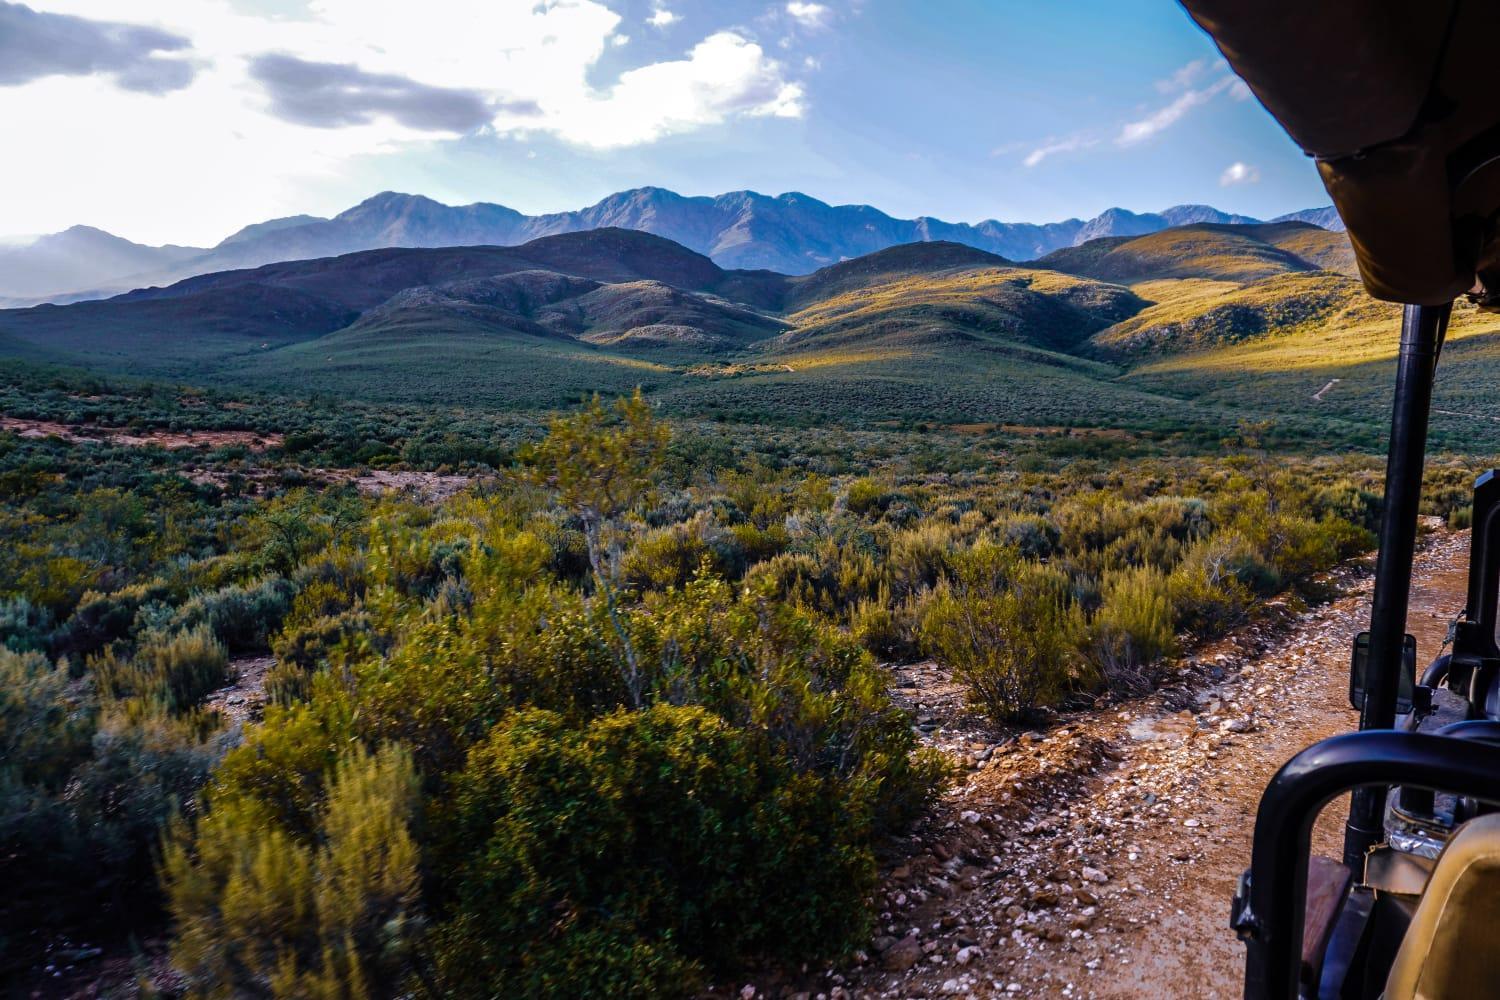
(1450, 951)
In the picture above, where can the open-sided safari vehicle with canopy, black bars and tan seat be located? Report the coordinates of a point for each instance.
(1399, 103)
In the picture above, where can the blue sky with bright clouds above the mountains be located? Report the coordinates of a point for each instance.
(184, 121)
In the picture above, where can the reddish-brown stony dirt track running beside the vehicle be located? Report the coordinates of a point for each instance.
(1097, 858)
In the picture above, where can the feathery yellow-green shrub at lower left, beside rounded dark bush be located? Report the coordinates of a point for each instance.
(260, 911)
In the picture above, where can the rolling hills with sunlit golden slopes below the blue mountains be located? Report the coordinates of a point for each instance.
(1187, 331)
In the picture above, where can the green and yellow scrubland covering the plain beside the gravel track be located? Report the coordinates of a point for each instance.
(611, 722)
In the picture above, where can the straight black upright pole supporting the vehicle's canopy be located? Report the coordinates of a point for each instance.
(1423, 329)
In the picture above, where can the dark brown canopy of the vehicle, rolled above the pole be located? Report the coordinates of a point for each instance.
(1399, 101)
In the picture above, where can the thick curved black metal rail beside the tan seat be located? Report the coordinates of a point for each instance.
(1271, 924)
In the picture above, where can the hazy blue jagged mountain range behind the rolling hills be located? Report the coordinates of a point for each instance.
(791, 233)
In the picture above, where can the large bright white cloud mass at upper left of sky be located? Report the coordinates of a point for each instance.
(205, 158)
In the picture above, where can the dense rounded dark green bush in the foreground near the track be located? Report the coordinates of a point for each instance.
(626, 858)
